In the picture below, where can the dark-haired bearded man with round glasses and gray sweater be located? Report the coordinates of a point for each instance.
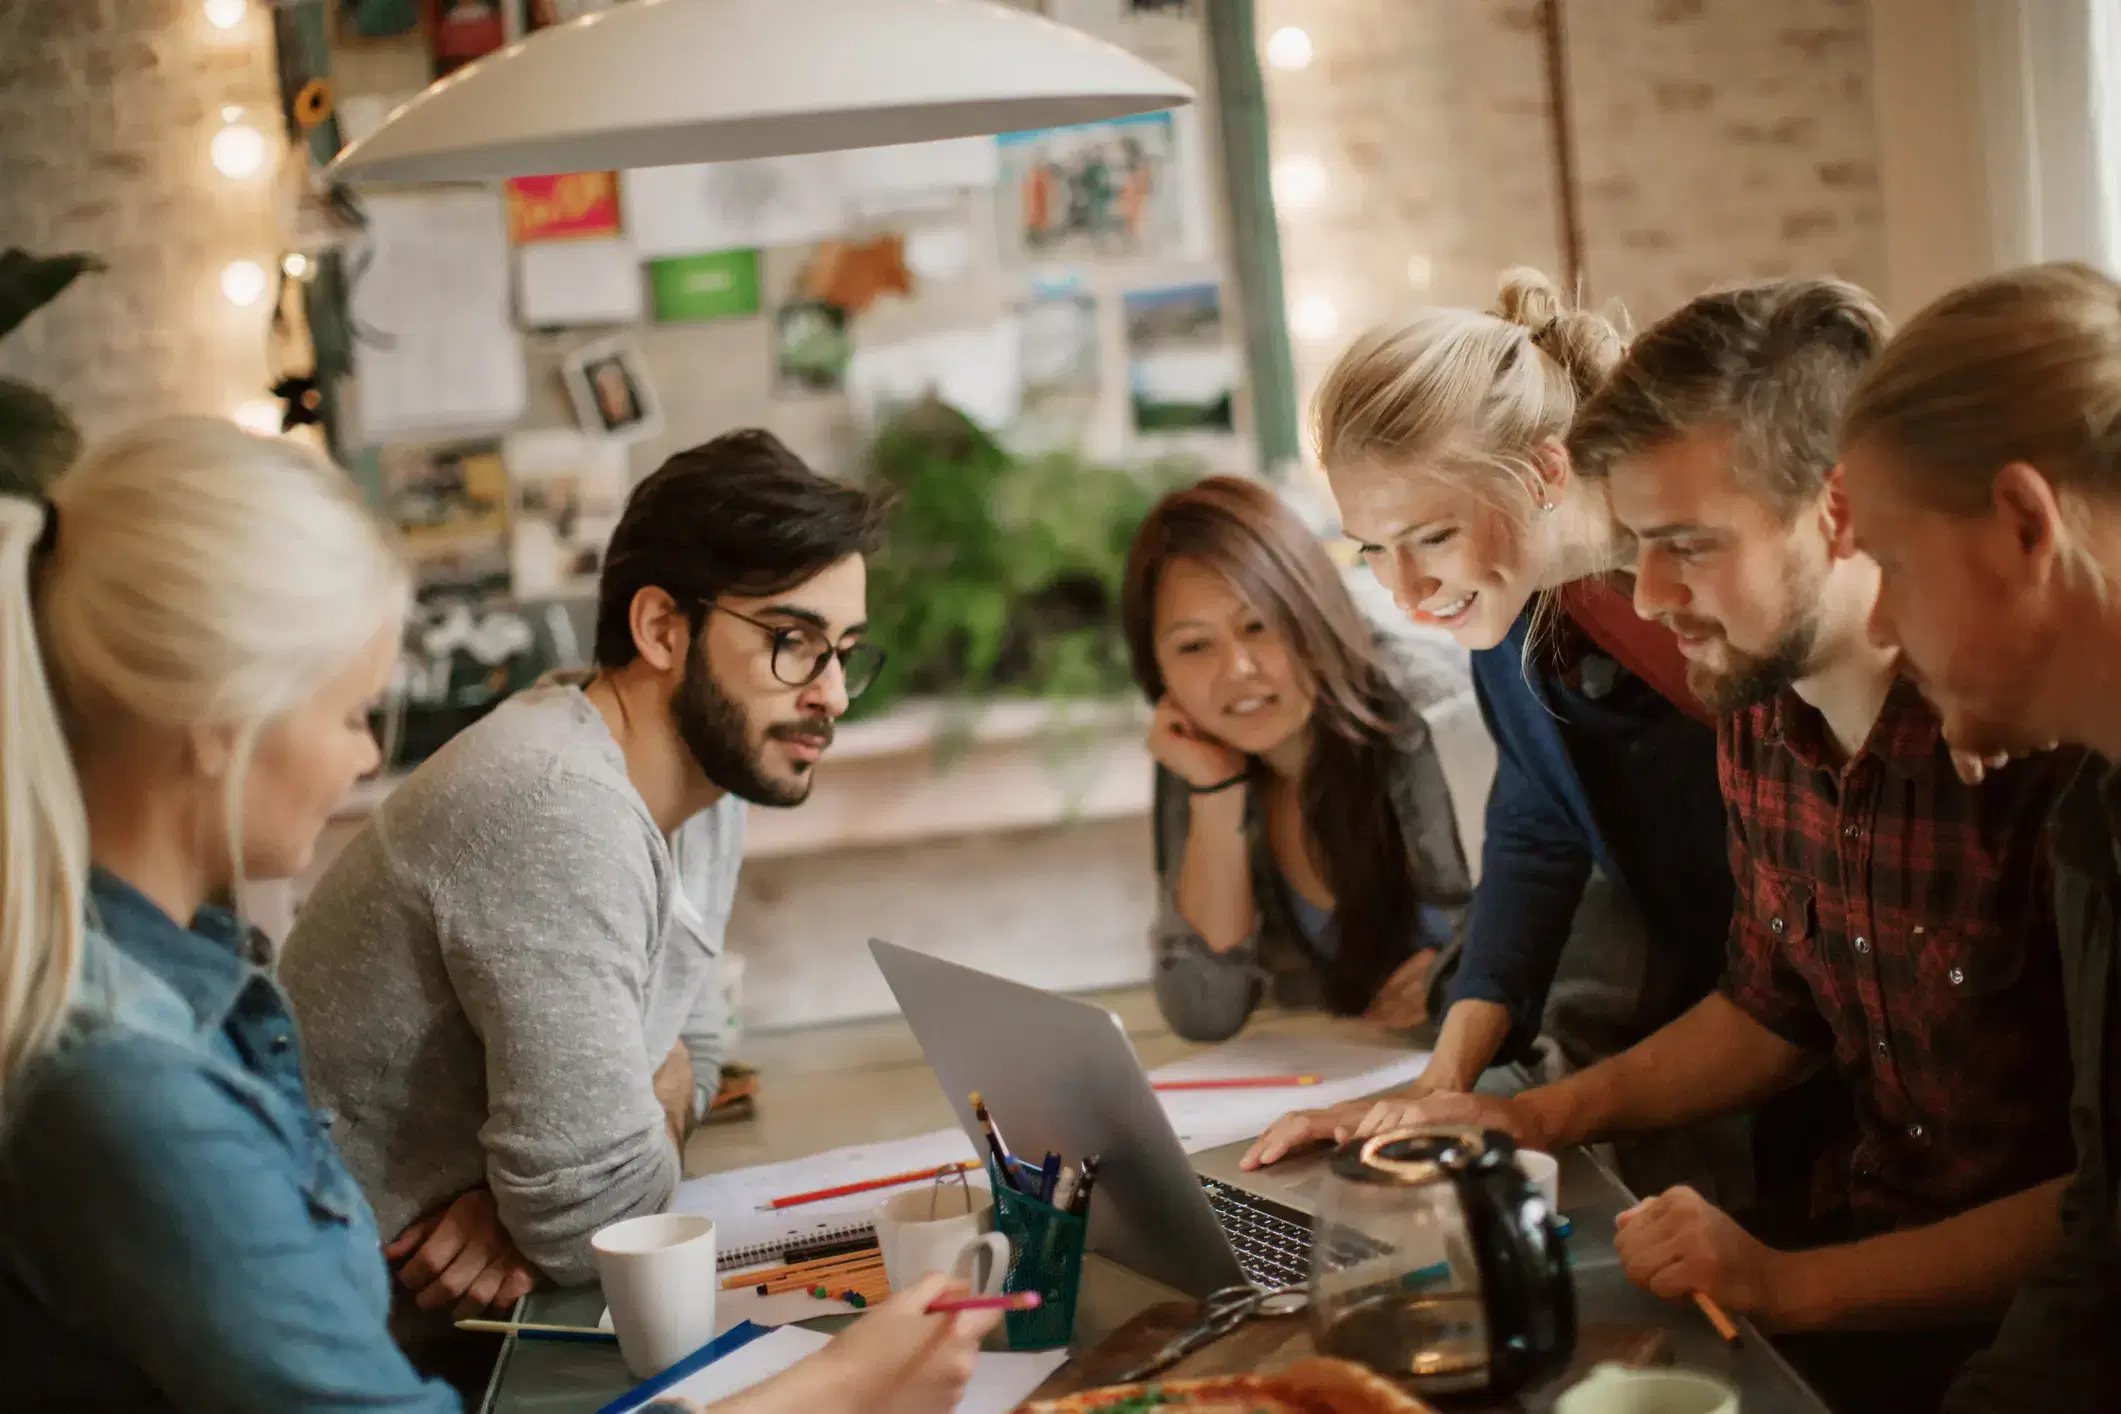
(506, 980)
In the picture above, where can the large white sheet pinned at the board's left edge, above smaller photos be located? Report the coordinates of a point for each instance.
(436, 347)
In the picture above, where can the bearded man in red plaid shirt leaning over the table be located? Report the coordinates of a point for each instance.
(1893, 921)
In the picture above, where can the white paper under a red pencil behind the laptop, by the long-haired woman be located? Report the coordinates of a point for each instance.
(1346, 1070)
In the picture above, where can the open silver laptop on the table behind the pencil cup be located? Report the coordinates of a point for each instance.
(1062, 1076)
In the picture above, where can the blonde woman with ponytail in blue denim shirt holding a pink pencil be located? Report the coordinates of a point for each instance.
(192, 637)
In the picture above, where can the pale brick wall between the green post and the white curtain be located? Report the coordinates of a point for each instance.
(1715, 141)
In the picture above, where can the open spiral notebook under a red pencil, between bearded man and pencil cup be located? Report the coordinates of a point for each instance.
(752, 1233)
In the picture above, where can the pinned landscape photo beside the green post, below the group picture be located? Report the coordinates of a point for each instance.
(1182, 374)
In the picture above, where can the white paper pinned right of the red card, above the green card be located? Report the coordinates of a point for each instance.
(733, 205)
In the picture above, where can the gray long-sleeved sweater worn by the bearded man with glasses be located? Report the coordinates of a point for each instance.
(491, 974)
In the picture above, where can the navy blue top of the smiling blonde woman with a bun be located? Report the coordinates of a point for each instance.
(1594, 775)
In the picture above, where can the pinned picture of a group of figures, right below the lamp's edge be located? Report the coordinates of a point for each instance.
(1093, 192)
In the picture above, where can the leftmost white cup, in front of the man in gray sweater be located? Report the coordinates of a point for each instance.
(661, 1286)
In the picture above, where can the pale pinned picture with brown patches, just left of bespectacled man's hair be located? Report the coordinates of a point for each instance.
(565, 499)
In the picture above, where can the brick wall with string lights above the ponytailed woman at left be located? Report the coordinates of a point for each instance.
(107, 111)
